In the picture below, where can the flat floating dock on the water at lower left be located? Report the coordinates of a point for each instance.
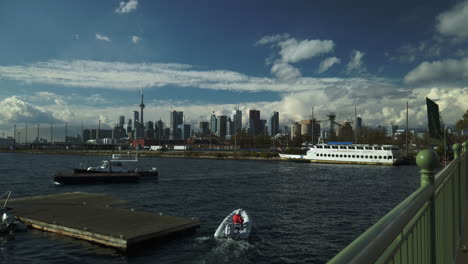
(97, 218)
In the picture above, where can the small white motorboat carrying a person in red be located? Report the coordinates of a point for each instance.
(229, 230)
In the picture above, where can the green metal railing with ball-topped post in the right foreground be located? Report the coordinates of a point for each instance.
(424, 228)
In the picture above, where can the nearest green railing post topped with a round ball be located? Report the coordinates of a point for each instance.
(428, 160)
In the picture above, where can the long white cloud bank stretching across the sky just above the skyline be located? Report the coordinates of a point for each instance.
(380, 100)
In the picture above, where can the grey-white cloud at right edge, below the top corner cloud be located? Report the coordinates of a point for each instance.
(444, 71)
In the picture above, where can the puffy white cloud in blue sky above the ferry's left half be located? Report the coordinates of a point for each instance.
(293, 51)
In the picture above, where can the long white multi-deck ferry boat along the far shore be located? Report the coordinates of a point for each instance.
(346, 152)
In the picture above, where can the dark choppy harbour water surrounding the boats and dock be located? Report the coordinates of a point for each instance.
(303, 212)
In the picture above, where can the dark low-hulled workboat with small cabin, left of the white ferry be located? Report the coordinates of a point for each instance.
(114, 170)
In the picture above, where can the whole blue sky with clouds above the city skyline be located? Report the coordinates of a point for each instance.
(84, 61)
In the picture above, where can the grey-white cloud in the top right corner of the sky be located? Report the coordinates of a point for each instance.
(453, 22)
